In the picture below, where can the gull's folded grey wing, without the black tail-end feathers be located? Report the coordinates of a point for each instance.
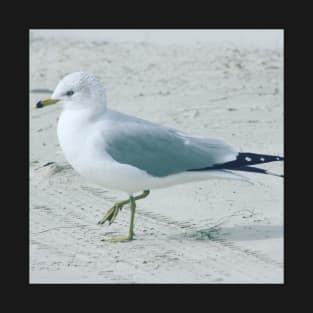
(164, 151)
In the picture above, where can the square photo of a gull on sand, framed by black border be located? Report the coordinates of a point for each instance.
(156, 156)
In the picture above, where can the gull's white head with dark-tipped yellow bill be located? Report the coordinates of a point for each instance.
(78, 91)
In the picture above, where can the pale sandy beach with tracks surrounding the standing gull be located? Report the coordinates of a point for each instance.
(216, 231)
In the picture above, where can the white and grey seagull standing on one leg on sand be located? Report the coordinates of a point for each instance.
(126, 153)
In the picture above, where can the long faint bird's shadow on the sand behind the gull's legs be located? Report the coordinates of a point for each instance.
(233, 233)
